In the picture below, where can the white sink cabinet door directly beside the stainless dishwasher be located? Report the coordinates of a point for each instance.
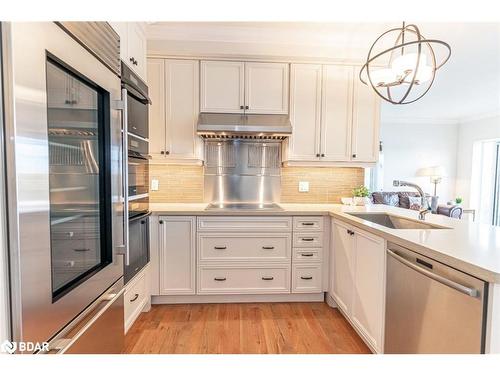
(369, 281)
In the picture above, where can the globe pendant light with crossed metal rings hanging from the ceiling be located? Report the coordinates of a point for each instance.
(405, 72)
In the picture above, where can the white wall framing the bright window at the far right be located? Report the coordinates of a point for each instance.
(468, 133)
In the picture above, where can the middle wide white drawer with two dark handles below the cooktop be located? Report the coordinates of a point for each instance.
(244, 247)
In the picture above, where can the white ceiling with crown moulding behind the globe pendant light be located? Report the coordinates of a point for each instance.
(467, 86)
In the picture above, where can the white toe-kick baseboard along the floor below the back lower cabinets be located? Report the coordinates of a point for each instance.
(243, 298)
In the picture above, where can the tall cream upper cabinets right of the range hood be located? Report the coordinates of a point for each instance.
(334, 116)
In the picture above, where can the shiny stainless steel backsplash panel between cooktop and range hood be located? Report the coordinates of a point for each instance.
(246, 171)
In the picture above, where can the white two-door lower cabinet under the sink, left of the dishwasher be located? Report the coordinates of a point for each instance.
(358, 282)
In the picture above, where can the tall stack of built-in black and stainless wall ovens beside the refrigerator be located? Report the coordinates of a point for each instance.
(136, 146)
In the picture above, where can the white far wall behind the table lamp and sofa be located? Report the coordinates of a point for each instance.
(409, 147)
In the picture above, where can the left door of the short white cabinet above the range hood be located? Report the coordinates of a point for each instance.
(222, 86)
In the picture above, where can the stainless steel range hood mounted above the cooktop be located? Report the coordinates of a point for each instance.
(228, 125)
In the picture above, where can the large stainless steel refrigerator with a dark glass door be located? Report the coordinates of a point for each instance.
(67, 206)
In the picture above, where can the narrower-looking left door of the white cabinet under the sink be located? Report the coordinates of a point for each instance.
(342, 266)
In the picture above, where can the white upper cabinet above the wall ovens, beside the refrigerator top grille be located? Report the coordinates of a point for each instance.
(132, 45)
